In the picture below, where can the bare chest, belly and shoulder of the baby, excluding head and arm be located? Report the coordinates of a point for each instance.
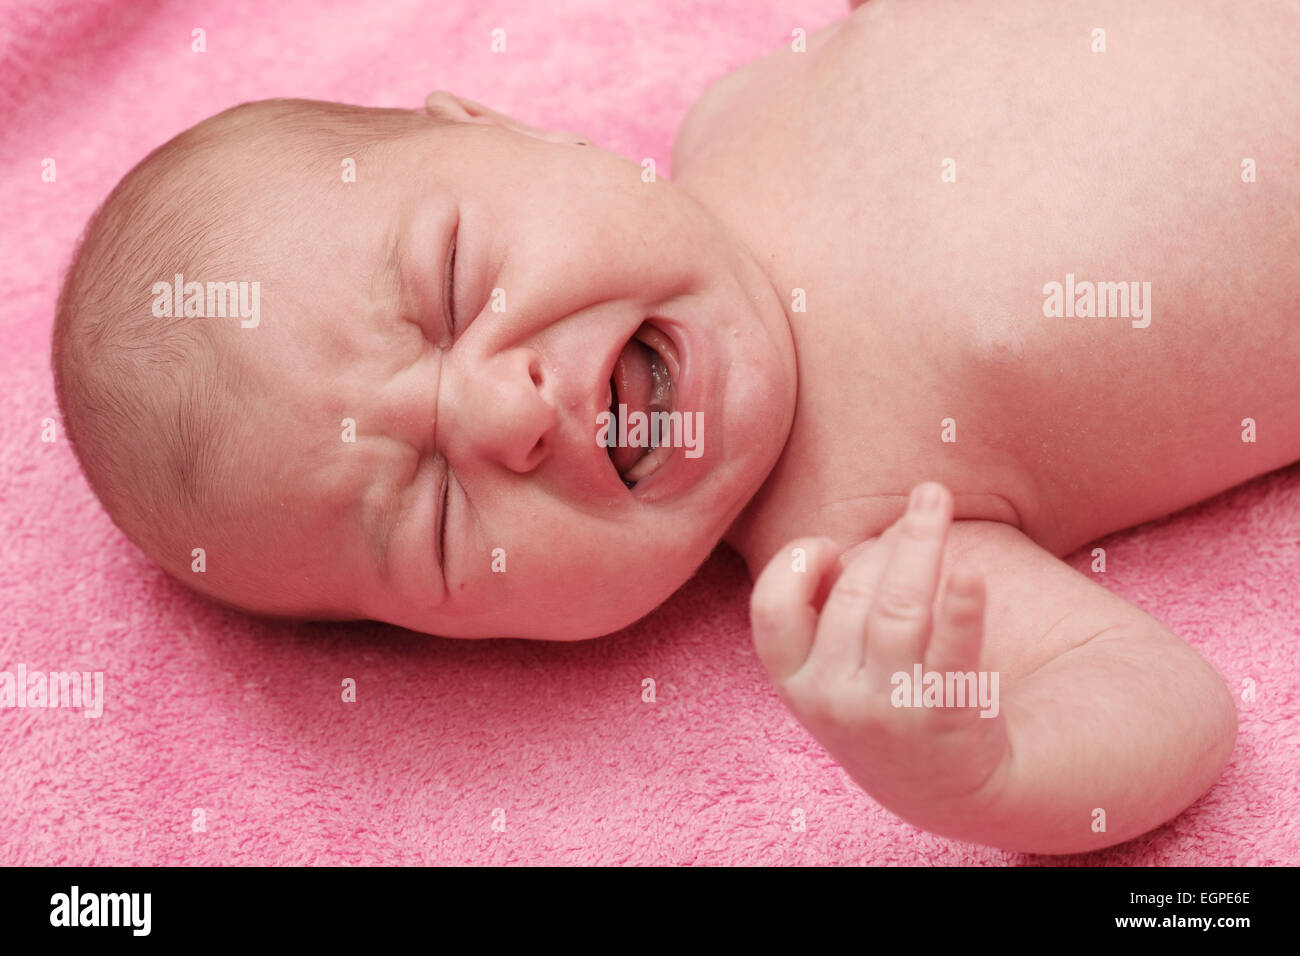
(929, 168)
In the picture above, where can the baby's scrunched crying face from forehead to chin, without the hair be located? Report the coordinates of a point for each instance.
(476, 499)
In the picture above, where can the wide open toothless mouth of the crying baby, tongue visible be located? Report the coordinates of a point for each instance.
(643, 386)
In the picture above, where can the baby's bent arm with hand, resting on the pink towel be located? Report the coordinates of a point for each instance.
(1102, 708)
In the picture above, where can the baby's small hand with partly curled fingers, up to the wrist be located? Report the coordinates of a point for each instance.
(840, 665)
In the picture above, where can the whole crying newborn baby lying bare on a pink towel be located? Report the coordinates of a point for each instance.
(937, 296)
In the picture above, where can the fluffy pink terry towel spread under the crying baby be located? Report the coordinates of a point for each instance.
(226, 739)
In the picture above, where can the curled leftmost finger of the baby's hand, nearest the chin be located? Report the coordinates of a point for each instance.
(783, 608)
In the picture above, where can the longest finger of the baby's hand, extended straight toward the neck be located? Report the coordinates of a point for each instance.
(900, 620)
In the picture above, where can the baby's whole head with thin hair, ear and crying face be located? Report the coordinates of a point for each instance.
(384, 397)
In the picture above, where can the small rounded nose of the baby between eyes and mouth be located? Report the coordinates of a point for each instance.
(502, 412)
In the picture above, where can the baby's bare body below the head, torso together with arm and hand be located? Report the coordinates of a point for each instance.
(1124, 166)
